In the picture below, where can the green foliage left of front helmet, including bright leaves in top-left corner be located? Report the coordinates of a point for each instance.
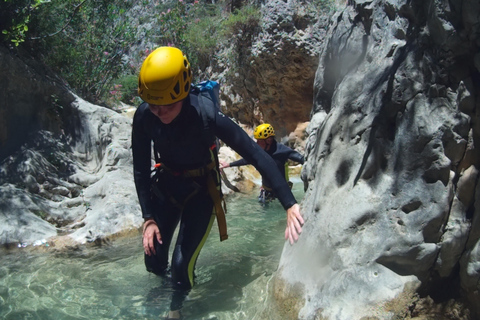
(83, 40)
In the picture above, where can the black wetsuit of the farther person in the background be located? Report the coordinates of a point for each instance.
(280, 154)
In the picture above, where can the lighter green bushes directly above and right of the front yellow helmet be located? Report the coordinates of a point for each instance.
(198, 28)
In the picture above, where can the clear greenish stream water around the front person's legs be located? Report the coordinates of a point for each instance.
(110, 282)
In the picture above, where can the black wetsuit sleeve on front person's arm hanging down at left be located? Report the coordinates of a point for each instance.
(141, 149)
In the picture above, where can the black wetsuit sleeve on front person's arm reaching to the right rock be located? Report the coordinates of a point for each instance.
(237, 139)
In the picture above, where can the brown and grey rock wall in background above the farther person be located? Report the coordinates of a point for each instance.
(277, 61)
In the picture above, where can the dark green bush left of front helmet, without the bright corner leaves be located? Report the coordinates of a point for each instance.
(89, 50)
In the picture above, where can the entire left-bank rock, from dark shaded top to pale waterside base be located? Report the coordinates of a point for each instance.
(67, 167)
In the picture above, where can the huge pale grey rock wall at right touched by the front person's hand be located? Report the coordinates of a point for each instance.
(392, 167)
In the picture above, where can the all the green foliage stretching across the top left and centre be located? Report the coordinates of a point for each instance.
(89, 42)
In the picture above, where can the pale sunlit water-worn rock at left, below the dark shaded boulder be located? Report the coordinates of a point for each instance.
(92, 199)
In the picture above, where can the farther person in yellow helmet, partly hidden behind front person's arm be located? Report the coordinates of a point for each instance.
(265, 136)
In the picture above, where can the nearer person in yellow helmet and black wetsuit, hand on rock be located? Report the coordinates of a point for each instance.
(185, 188)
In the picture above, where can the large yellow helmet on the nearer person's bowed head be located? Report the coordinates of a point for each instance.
(165, 77)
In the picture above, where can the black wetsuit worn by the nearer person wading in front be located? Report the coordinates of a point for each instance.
(181, 146)
